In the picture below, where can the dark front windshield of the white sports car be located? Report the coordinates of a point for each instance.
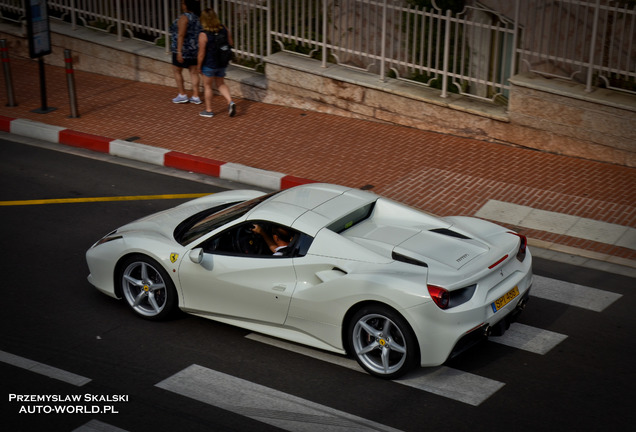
(208, 220)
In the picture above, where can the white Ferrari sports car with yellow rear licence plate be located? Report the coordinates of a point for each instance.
(335, 268)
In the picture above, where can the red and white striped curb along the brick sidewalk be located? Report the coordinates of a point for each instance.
(152, 155)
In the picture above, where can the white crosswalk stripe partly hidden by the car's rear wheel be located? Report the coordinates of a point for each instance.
(442, 381)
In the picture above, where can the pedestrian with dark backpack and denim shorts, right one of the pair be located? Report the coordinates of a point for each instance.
(215, 51)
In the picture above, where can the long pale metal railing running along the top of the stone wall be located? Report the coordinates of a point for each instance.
(473, 52)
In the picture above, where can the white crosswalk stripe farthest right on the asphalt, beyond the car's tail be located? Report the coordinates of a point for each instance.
(572, 294)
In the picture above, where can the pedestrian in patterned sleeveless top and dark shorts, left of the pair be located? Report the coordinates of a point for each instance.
(184, 34)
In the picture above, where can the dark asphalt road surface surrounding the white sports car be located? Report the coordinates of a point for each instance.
(64, 346)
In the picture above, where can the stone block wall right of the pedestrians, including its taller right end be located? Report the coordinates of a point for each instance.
(548, 115)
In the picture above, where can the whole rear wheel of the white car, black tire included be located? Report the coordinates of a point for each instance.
(382, 342)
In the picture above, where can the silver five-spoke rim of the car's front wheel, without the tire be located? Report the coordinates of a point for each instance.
(144, 288)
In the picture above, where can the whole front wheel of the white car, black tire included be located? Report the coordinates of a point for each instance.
(147, 288)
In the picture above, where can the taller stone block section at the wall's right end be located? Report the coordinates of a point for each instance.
(596, 125)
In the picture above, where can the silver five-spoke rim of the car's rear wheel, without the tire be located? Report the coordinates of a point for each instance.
(379, 344)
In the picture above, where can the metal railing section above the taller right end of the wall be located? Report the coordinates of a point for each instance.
(586, 41)
